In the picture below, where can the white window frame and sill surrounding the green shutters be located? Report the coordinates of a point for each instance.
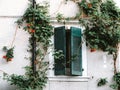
(84, 77)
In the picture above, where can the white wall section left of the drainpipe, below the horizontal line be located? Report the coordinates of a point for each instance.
(8, 28)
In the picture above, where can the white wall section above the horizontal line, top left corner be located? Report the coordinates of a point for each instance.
(12, 7)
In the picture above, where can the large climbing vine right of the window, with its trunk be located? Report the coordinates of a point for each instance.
(102, 30)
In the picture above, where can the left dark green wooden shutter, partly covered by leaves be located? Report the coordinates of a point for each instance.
(60, 44)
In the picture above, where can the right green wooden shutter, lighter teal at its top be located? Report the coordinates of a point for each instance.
(76, 51)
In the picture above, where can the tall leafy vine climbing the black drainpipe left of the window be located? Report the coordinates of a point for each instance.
(36, 22)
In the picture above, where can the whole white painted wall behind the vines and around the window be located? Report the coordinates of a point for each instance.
(95, 66)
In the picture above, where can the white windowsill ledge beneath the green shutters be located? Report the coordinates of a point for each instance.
(69, 78)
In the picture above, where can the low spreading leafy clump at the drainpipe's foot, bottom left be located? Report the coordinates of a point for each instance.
(29, 81)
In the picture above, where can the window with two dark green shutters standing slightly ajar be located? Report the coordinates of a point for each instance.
(69, 41)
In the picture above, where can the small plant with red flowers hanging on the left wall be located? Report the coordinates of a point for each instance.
(9, 53)
